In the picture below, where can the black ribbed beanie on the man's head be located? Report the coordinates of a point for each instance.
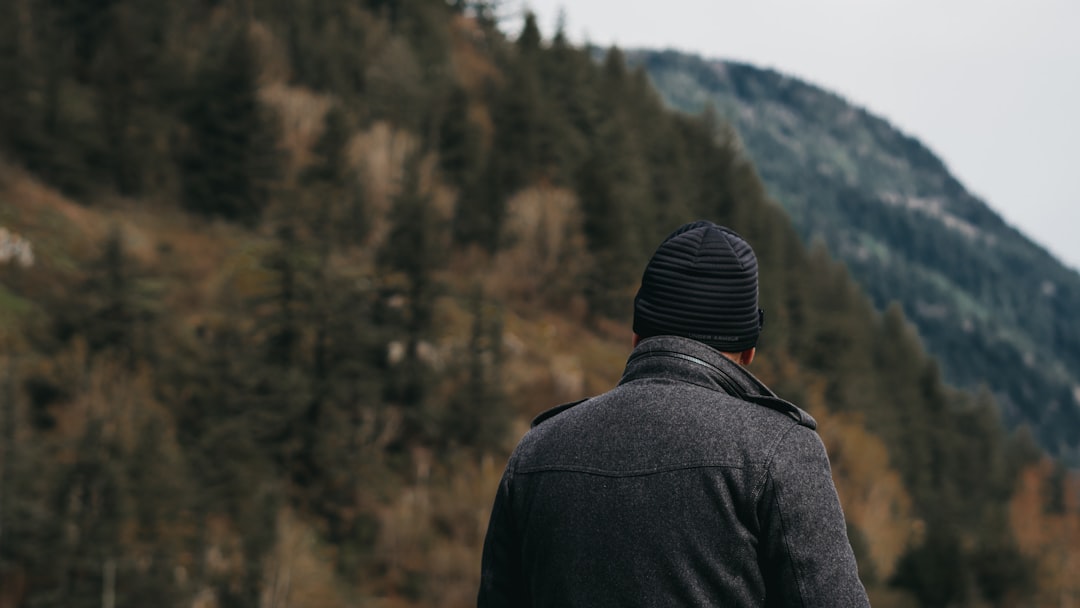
(701, 285)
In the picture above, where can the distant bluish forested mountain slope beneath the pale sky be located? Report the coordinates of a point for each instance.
(994, 307)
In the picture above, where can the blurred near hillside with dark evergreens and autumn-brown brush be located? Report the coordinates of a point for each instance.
(281, 285)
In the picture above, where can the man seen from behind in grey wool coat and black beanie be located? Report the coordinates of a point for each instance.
(691, 483)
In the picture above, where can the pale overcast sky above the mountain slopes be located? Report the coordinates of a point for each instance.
(992, 87)
